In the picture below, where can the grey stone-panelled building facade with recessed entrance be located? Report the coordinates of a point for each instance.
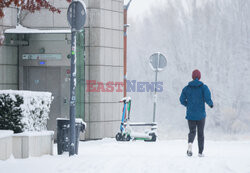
(103, 35)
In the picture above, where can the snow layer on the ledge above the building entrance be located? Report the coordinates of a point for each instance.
(23, 30)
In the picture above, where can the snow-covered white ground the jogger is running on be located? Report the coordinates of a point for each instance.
(163, 156)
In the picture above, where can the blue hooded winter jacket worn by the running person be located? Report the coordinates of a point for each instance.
(193, 97)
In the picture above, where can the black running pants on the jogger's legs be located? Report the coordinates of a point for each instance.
(192, 132)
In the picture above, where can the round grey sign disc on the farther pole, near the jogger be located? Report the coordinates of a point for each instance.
(157, 61)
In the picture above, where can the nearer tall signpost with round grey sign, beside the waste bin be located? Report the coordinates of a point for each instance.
(76, 16)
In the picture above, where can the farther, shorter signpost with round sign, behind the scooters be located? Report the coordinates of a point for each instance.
(157, 62)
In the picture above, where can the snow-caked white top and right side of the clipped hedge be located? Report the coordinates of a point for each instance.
(35, 108)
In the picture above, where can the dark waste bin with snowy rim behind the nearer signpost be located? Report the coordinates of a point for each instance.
(63, 134)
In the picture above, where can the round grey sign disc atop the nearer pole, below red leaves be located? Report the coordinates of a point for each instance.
(80, 11)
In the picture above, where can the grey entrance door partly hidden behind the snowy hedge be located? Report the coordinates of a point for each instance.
(46, 79)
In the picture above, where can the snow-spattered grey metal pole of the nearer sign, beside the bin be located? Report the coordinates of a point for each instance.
(73, 83)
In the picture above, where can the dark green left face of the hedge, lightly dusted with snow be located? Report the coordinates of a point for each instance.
(11, 113)
